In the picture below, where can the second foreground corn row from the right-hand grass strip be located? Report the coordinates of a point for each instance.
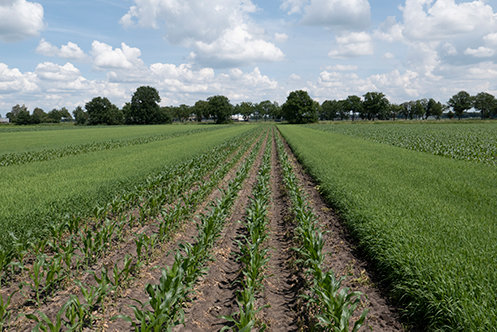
(254, 253)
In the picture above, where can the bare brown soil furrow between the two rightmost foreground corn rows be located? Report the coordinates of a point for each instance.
(283, 283)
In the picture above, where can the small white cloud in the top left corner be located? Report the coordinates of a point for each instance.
(20, 19)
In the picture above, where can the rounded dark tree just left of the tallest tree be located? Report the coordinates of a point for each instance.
(102, 111)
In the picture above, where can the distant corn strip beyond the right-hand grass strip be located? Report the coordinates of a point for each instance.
(472, 142)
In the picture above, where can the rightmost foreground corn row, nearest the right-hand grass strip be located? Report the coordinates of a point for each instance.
(332, 306)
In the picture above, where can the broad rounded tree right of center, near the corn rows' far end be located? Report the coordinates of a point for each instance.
(300, 108)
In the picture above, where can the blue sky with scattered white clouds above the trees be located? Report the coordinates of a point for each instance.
(59, 53)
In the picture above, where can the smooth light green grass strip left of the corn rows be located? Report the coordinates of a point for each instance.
(35, 193)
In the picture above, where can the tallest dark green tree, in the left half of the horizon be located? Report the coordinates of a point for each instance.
(144, 107)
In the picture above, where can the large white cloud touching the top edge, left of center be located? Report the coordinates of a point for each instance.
(220, 32)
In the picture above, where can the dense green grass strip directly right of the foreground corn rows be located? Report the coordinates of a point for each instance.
(427, 222)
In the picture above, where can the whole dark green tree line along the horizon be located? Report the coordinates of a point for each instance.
(299, 108)
